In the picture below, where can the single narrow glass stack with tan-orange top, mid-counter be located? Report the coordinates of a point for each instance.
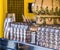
(33, 34)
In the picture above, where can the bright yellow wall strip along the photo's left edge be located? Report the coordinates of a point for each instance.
(3, 10)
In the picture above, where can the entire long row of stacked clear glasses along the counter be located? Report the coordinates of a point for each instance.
(45, 36)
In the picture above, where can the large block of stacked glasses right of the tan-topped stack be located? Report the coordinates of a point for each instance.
(48, 37)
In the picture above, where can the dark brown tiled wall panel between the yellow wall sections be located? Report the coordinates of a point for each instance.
(17, 7)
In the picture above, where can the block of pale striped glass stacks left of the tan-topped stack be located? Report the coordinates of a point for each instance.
(18, 31)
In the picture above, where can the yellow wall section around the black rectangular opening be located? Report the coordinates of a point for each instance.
(30, 15)
